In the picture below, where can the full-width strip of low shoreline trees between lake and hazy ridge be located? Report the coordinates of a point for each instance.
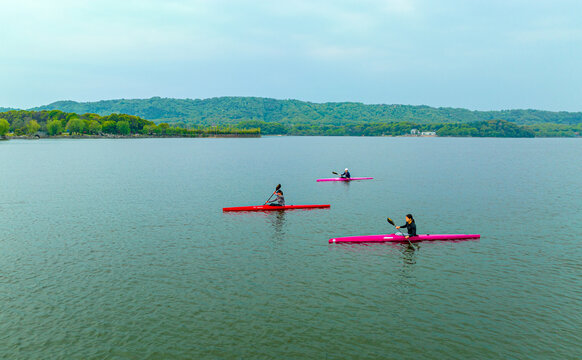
(24, 124)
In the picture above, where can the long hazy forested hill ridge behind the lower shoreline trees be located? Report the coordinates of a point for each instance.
(232, 110)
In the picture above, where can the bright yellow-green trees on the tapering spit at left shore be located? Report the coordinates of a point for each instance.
(57, 123)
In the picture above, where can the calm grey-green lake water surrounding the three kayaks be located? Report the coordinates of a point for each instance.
(119, 249)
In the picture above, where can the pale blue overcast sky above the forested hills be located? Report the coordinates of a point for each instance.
(481, 55)
